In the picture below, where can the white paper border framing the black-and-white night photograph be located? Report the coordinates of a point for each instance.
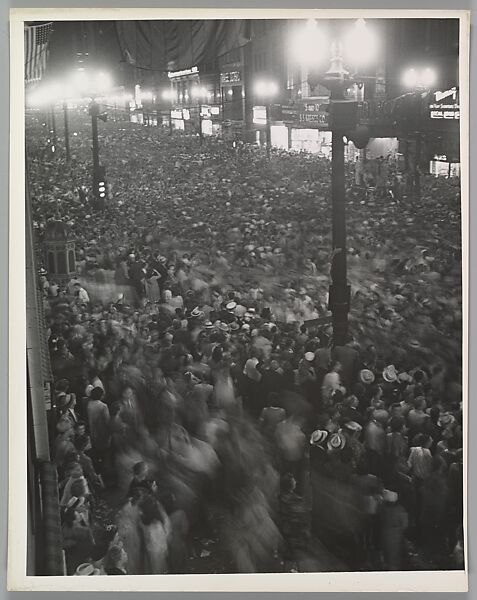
(17, 580)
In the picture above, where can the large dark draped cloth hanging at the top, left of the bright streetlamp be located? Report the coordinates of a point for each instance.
(174, 45)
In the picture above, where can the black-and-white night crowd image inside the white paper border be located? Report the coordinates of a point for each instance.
(244, 307)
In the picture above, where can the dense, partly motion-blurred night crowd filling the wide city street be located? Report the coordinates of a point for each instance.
(198, 390)
